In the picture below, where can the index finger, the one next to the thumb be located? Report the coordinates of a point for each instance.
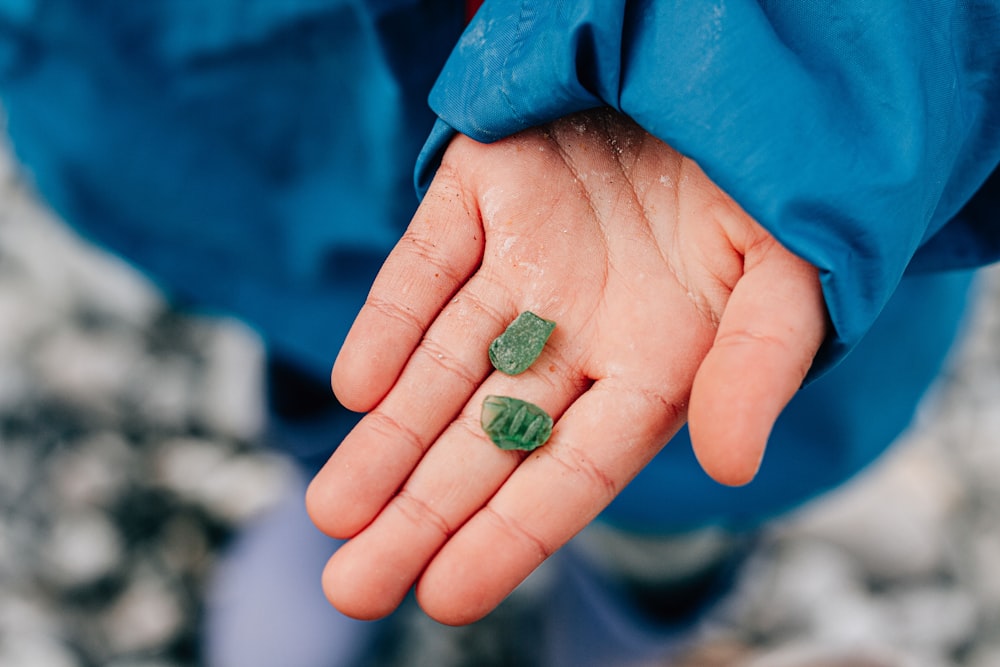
(598, 446)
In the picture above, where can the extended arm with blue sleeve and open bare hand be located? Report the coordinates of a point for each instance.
(853, 133)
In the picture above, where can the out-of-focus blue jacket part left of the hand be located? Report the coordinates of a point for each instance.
(252, 157)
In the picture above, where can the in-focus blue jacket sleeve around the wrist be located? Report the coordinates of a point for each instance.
(858, 133)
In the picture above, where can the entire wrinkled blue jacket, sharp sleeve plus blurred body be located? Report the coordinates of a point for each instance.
(255, 157)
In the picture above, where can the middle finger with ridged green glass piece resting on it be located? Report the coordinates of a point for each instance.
(457, 476)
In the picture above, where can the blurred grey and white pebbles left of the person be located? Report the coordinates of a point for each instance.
(128, 451)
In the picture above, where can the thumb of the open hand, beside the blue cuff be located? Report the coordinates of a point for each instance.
(769, 333)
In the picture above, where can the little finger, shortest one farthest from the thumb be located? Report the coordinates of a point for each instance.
(439, 251)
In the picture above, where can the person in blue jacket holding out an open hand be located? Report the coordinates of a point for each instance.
(718, 203)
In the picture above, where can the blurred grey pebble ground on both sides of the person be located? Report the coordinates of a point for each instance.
(129, 453)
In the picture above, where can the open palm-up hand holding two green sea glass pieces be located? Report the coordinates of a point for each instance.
(670, 304)
